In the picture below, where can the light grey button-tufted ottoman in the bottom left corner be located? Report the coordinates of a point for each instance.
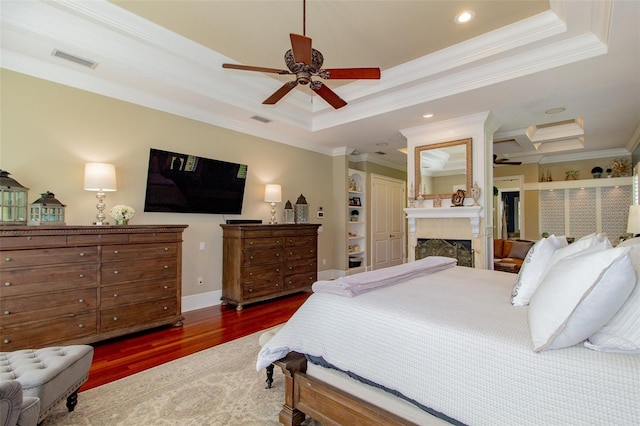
(50, 374)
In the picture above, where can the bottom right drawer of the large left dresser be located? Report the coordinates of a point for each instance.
(131, 315)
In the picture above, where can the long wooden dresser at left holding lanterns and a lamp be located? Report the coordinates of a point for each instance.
(69, 285)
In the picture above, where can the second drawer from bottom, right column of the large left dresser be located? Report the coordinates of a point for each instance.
(124, 294)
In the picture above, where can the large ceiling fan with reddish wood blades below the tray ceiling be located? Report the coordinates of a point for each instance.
(305, 62)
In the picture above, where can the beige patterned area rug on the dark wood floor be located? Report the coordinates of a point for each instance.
(217, 386)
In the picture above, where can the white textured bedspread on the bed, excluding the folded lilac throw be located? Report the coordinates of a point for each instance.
(453, 342)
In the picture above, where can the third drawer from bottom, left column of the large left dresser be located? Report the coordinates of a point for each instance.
(15, 282)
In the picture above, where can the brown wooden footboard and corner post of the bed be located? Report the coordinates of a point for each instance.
(306, 395)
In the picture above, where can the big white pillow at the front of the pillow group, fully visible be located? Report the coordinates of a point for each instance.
(578, 296)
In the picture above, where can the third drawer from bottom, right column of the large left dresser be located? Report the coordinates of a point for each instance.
(123, 271)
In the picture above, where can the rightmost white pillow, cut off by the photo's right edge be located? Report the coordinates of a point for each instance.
(622, 333)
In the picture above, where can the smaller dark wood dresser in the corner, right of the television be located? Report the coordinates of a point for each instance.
(261, 262)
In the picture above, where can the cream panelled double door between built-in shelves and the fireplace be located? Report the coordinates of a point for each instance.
(387, 218)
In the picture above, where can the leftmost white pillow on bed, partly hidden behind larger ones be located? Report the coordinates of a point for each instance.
(533, 269)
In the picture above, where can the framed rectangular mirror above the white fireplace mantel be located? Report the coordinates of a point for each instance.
(443, 168)
